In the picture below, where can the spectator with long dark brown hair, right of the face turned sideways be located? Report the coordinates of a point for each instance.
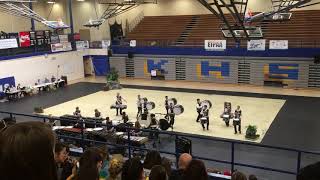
(90, 166)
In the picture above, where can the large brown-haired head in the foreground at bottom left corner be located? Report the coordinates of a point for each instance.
(27, 152)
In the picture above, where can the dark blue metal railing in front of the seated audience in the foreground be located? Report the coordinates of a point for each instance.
(235, 147)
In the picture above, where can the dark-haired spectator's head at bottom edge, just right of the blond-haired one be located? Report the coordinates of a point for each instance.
(133, 169)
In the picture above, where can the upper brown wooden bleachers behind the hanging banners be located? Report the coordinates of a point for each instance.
(302, 30)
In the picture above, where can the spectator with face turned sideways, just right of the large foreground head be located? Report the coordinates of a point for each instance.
(63, 163)
